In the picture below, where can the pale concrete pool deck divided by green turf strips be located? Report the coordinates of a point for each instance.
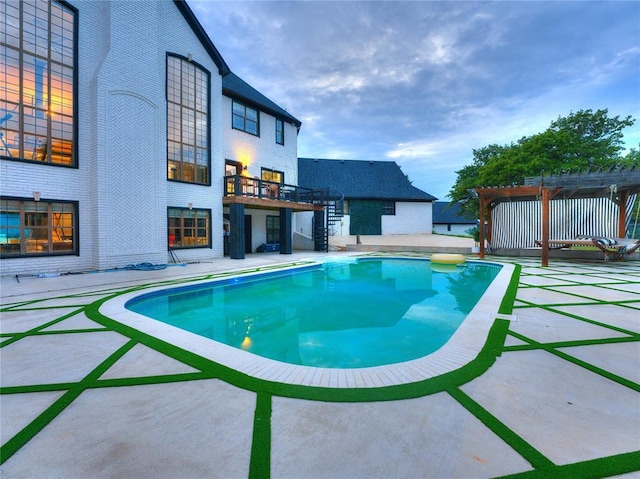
(555, 394)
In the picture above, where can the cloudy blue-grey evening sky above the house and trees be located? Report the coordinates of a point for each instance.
(424, 83)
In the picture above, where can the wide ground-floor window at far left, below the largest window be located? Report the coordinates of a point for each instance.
(30, 227)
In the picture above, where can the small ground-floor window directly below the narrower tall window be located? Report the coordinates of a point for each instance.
(189, 228)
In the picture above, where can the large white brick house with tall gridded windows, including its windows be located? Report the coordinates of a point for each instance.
(115, 134)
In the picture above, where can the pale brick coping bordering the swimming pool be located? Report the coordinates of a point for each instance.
(463, 347)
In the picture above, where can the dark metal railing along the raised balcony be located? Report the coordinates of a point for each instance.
(238, 185)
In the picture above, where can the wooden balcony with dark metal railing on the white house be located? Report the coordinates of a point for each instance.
(257, 193)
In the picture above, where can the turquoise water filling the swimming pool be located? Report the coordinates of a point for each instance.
(345, 314)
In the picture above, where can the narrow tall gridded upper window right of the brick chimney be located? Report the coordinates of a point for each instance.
(188, 138)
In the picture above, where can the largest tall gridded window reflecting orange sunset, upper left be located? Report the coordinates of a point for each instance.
(38, 50)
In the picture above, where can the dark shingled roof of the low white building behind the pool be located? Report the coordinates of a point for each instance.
(359, 179)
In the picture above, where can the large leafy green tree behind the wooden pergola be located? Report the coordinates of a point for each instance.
(582, 141)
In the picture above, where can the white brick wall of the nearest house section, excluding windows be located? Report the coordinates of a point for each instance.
(121, 181)
